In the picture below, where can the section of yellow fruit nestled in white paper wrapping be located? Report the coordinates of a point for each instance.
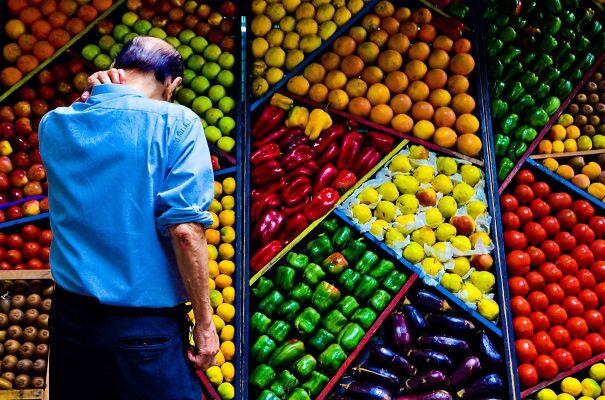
(432, 211)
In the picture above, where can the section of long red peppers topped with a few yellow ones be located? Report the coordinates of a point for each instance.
(301, 165)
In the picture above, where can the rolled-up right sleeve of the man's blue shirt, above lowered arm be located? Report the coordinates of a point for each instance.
(188, 189)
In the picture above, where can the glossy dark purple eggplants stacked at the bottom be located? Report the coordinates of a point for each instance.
(425, 351)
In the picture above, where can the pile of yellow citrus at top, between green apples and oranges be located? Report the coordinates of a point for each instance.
(286, 30)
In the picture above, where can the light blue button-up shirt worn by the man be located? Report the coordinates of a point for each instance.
(122, 169)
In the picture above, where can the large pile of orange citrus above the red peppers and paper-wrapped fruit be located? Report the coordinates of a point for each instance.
(398, 70)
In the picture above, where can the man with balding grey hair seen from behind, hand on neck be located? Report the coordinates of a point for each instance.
(130, 181)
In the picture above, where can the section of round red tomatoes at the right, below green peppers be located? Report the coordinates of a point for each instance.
(555, 261)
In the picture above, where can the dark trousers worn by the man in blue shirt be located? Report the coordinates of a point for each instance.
(114, 353)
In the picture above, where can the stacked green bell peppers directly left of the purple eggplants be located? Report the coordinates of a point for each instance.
(313, 311)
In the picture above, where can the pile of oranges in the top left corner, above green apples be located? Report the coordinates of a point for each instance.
(38, 27)
